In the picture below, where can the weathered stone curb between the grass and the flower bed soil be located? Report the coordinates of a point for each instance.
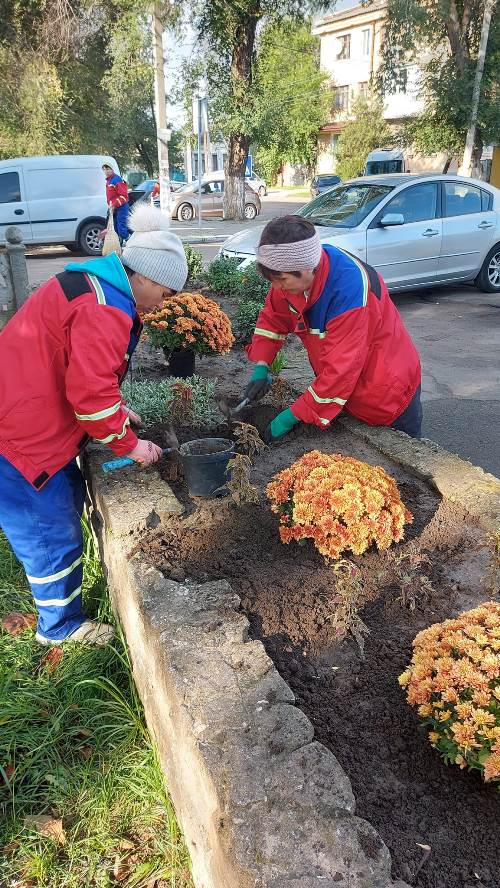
(260, 802)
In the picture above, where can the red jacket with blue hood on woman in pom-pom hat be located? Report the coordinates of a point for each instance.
(62, 358)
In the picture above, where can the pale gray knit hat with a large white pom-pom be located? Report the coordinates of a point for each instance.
(153, 250)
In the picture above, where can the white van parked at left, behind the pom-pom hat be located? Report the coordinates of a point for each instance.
(56, 200)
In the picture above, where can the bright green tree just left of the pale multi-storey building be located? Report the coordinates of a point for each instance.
(292, 96)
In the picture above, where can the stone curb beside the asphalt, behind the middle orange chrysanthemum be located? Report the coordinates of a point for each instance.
(454, 478)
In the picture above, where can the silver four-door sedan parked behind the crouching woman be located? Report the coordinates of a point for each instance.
(416, 231)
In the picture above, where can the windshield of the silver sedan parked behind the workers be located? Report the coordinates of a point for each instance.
(345, 206)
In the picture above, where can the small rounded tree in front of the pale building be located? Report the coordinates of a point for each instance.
(365, 132)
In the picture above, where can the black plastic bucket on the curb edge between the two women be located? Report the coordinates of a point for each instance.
(205, 465)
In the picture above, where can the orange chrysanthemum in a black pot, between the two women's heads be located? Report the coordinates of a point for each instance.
(187, 325)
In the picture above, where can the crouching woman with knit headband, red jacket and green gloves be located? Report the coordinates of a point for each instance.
(362, 356)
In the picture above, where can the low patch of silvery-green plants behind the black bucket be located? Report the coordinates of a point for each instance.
(153, 401)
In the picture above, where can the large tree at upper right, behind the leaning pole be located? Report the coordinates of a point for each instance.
(442, 37)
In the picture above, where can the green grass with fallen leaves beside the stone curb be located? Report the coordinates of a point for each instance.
(74, 745)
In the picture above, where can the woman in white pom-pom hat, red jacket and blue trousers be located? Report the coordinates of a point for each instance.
(62, 359)
